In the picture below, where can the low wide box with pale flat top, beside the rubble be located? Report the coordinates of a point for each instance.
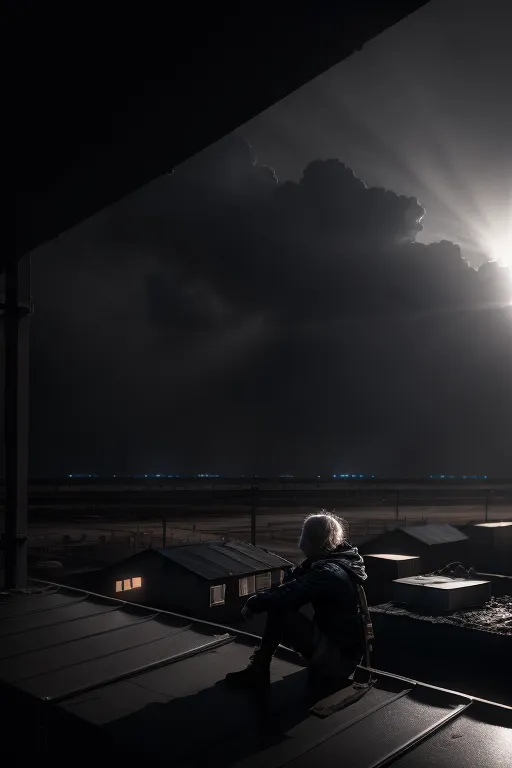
(440, 593)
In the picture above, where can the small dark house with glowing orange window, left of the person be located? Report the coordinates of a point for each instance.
(212, 580)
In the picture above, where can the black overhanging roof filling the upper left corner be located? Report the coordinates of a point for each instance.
(112, 118)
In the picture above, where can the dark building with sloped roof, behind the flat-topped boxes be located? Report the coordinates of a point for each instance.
(436, 544)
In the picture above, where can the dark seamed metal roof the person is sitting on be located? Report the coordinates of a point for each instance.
(142, 682)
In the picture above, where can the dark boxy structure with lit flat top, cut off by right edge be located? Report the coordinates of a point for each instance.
(491, 547)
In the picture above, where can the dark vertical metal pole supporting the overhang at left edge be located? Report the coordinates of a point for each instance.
(18, 307)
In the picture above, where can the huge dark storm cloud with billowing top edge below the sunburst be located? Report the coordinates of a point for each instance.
(219, 320)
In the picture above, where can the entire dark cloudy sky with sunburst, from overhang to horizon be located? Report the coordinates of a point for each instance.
(236, 319)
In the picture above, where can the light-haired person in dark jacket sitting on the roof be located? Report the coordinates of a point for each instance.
(332, 642)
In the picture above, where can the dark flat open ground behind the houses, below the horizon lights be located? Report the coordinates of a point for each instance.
(86, 538)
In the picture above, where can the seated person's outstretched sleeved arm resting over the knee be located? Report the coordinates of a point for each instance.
(291, 594)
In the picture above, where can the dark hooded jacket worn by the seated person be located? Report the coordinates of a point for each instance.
(329, 585)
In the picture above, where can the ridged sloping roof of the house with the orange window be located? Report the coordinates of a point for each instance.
(214, 560)
